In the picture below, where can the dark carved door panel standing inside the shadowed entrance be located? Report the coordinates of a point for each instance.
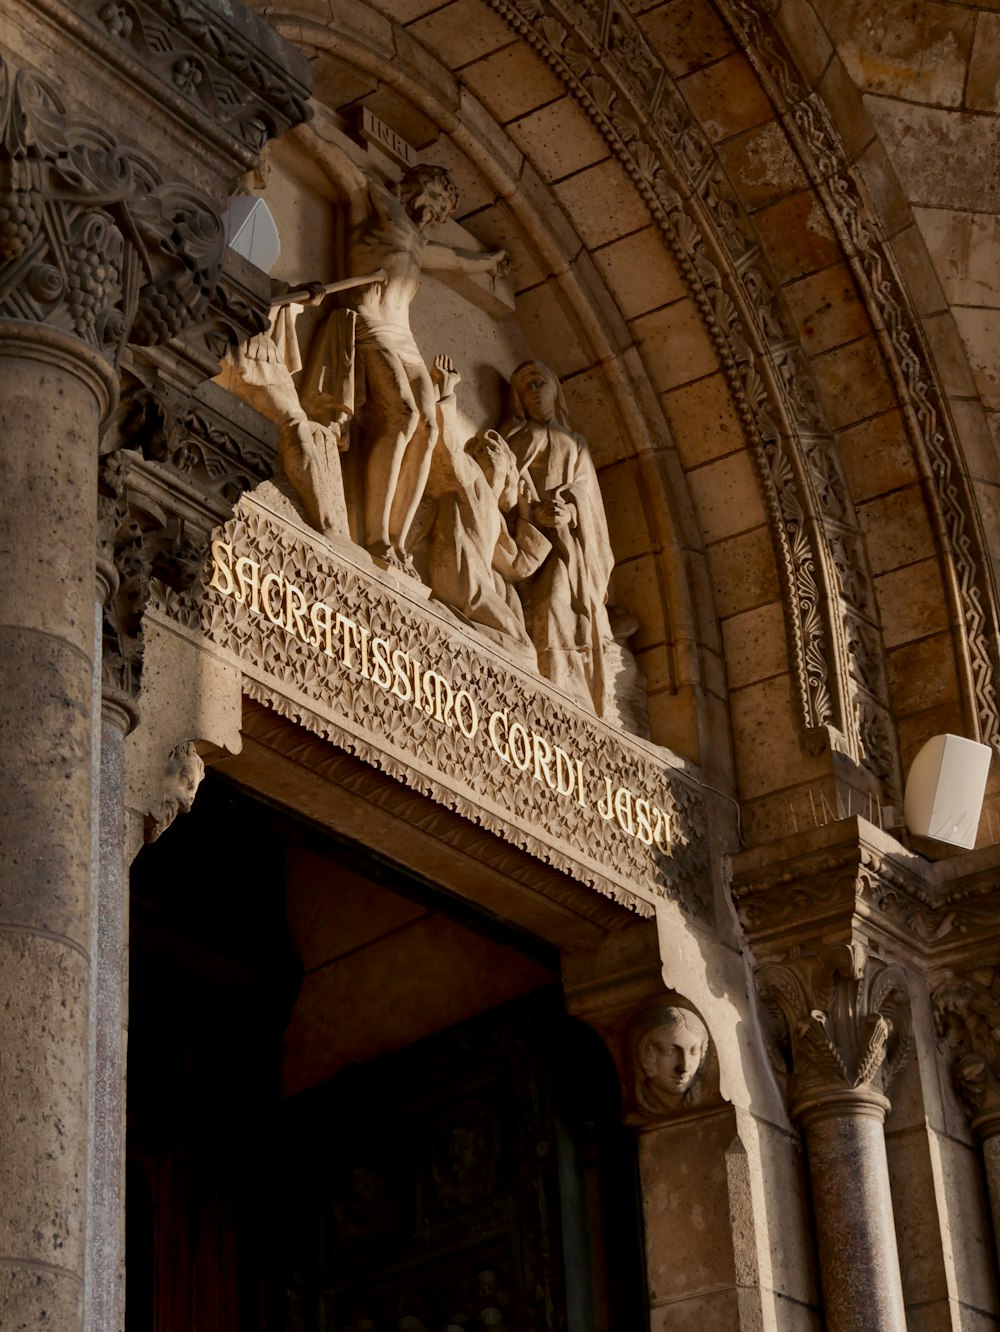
(425, 1189)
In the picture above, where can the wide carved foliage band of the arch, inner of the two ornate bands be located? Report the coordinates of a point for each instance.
(604, 58)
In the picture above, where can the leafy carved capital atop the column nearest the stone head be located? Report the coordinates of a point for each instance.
(837, 1022)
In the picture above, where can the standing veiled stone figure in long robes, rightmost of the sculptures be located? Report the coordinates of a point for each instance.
(564, 600)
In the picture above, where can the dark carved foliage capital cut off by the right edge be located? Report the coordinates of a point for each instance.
(967, 1016)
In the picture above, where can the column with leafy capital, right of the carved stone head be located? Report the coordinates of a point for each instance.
(841, 1022)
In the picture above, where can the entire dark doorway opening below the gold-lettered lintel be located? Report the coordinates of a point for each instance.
(356, 1102)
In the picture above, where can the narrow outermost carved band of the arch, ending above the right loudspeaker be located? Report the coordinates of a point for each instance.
(898, 327)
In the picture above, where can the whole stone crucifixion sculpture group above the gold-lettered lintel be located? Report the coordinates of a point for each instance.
(508, 527)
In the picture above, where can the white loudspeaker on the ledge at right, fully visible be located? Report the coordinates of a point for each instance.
(946, 788)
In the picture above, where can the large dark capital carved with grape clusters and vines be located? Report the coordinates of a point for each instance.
(91, 240)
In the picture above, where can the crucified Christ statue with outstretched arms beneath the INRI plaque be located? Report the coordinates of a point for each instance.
(391, 230)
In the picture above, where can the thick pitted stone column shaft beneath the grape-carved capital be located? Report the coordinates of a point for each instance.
(55, 394)
